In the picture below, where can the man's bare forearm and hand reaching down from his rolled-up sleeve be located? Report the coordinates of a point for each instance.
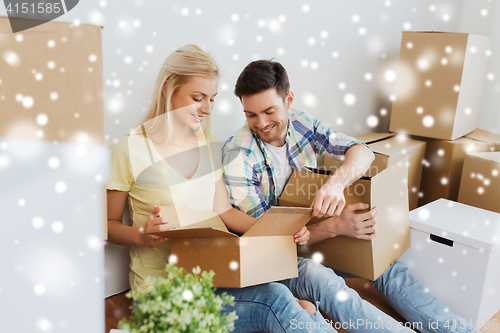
(329, 201)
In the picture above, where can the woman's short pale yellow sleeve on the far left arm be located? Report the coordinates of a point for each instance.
(120, 178)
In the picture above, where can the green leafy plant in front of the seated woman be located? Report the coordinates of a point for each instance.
(179, 303)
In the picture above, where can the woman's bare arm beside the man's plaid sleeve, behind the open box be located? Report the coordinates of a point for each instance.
(234, 219)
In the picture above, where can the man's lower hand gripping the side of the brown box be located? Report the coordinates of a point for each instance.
(360, 226)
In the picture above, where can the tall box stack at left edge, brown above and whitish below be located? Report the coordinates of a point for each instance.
(54, 165)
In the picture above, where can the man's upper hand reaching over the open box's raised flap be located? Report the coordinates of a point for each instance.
(329, 201)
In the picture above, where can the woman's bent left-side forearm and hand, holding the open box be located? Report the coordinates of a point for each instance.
(121, 234)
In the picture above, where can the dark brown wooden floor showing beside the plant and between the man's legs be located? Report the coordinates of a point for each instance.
(118, 306)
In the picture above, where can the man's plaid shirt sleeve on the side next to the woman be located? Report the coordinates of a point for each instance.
(242, 182)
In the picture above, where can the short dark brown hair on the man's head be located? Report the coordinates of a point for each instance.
(261, 75)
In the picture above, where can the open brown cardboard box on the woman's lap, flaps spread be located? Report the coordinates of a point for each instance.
(266, 252)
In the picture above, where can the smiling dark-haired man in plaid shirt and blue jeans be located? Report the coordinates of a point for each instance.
(258, 160)
